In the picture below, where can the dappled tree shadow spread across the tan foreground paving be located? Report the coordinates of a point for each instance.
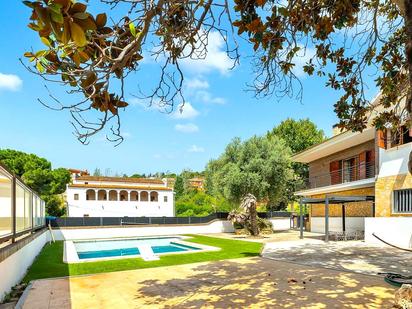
(264, 283)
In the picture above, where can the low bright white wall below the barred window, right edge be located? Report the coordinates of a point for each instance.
(397, 231)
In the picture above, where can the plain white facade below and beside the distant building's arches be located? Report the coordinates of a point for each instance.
(96, 208)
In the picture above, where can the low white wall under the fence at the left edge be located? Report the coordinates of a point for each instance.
(14, 267)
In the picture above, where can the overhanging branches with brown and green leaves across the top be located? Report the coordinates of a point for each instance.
(343, 41)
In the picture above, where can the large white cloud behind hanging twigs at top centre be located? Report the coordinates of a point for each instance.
(215, 59)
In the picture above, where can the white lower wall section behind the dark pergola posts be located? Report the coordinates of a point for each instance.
(335, 224)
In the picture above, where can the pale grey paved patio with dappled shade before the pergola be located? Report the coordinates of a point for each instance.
(353, 256)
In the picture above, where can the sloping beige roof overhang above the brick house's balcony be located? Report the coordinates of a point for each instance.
(335, 144)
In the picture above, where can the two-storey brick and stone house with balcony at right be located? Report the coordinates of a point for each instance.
(371, 165)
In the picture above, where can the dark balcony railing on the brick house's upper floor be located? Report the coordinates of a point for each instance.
(347, 174)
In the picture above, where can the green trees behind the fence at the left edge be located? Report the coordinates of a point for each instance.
(38, 175)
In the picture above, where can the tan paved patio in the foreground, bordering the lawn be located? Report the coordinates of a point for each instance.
(249, 282)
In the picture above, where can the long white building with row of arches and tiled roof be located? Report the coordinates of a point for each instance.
(92, 196)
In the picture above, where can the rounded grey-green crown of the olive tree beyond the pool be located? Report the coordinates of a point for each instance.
(260, 166)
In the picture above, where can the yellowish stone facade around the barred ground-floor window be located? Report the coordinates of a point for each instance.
(384, 193)
